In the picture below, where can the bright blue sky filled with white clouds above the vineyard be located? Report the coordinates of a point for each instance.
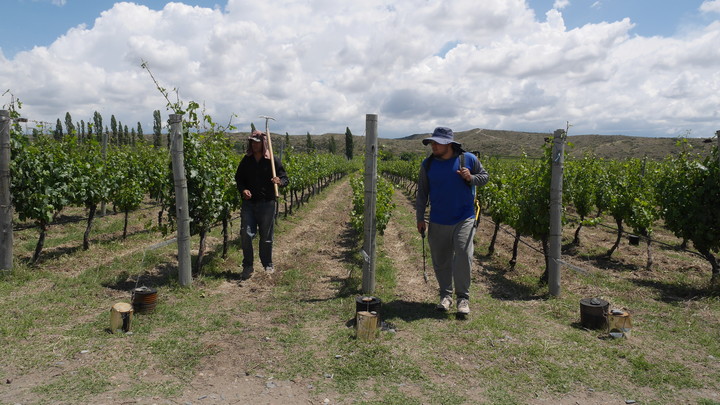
(632, 67)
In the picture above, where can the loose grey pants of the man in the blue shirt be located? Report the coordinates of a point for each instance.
(451, 247)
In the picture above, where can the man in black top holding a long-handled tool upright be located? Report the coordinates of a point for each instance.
(255, 181)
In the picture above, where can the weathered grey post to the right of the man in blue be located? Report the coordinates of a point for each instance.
(555, 239)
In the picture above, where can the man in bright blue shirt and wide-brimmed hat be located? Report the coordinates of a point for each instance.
(448, 178)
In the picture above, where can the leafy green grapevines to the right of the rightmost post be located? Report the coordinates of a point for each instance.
(682, 191)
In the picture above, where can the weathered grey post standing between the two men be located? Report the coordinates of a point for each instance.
(370, 230)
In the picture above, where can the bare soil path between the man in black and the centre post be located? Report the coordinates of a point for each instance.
(318, 237)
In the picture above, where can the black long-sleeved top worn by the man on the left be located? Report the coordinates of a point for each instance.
(255, 176)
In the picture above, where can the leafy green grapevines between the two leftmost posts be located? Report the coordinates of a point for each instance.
(49, 175)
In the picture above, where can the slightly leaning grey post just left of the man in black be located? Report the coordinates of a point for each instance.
(181, 200)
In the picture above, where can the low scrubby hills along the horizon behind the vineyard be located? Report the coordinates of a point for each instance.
(490, 142)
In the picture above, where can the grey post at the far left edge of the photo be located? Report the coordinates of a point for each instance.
(6, 210)
